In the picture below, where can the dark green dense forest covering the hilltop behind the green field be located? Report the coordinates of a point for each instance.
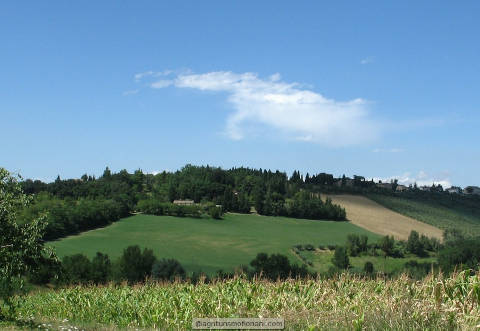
(75, 205)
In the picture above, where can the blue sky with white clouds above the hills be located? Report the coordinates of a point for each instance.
(375, 88)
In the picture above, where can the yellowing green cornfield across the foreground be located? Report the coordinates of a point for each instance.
(344, 302)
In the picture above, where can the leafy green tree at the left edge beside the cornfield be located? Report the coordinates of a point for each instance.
(21, 247)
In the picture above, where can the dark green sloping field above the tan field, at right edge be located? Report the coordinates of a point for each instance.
(457, 217)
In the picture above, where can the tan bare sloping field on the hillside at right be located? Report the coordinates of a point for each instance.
(374, 217)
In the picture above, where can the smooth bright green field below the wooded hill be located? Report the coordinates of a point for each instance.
(206, 244)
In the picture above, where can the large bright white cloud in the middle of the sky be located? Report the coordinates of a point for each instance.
(288, 108)
